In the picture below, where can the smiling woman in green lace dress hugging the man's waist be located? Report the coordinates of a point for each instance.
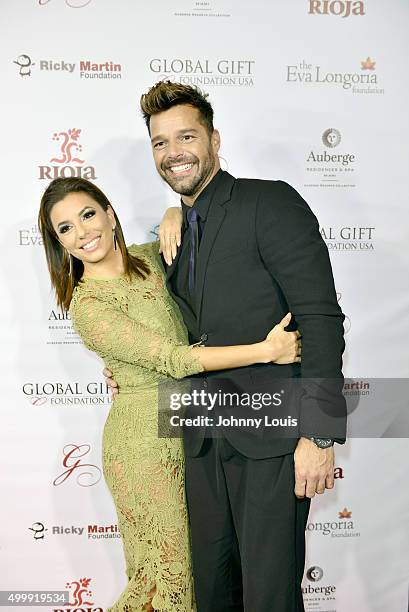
(120, 307)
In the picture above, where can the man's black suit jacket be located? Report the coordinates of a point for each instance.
(262, 255)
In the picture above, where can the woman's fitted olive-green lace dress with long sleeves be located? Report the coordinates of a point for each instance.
(137, 329)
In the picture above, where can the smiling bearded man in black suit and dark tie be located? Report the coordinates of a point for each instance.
(250, 252)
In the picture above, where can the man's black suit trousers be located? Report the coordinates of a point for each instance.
(248, 531)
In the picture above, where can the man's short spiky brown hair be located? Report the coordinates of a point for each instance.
(166, 94)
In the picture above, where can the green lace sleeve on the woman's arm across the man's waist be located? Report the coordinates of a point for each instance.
(111, 333)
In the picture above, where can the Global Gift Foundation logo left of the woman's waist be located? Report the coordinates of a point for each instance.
(58, 393)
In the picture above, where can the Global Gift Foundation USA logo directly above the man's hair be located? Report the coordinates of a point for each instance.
(195, 71)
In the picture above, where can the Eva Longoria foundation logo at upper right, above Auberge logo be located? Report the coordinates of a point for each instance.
(362, 79)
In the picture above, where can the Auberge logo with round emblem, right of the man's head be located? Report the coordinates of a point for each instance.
(330, 169)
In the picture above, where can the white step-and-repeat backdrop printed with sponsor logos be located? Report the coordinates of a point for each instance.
(307, 91)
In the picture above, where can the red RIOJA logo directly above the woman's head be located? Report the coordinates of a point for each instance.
(68, 160)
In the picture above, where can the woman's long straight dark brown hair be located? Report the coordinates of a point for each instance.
(65, 277)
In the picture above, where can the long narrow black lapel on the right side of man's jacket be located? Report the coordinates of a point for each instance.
(214, 220)
